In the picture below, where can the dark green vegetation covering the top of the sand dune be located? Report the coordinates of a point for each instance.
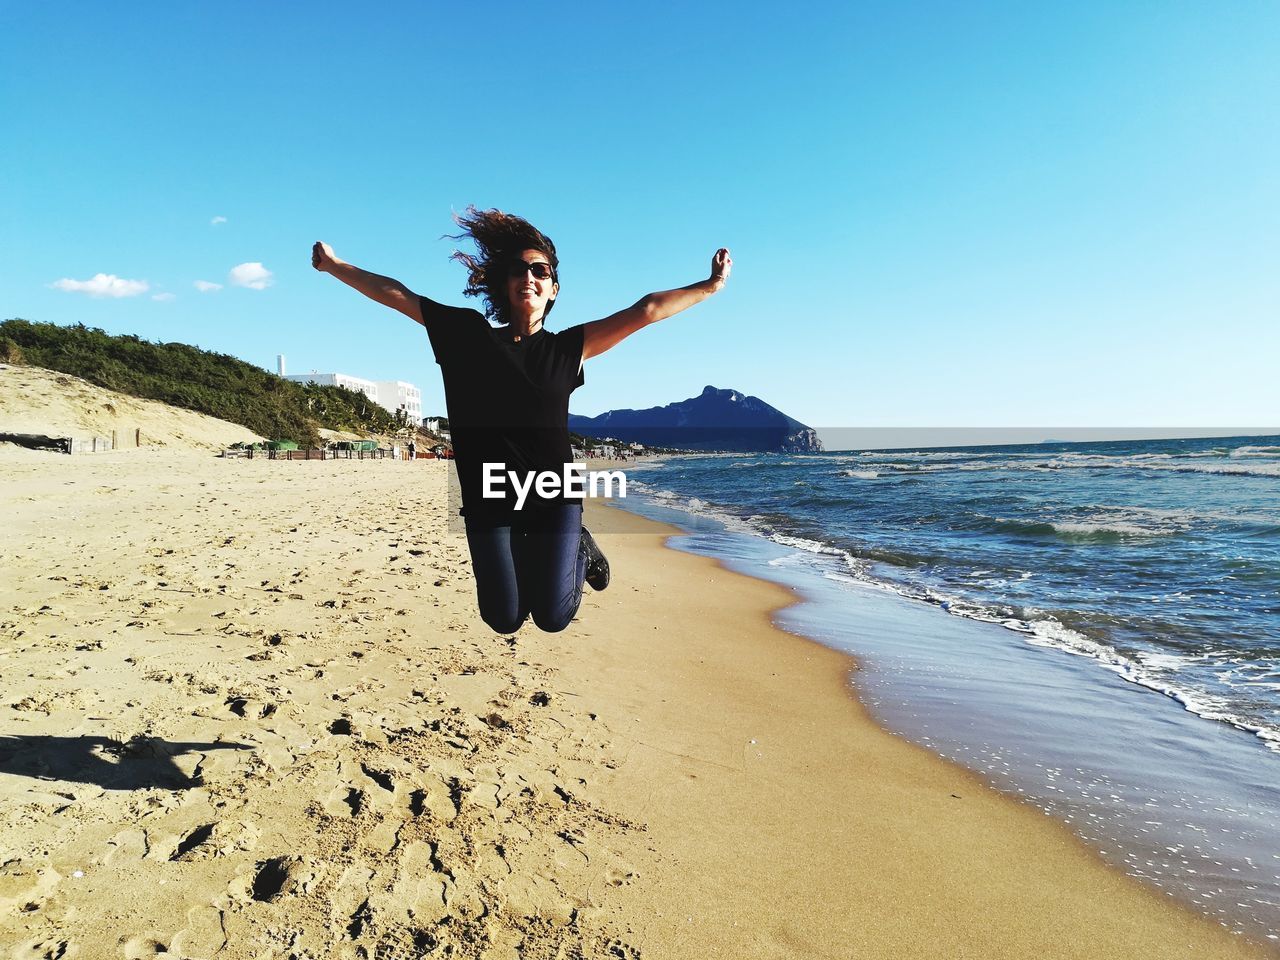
(214, 385)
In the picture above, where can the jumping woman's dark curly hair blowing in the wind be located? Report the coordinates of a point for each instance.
(499, 237)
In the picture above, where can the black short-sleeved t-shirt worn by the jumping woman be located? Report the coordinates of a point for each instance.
(508, 403)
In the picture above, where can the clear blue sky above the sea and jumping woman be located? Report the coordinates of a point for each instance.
(940, 214)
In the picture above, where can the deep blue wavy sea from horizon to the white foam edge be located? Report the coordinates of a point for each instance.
(1159, 560)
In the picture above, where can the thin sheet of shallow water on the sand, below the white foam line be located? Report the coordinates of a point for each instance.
(1191, 807)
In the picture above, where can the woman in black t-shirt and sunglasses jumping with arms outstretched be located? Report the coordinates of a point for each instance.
(506, 387)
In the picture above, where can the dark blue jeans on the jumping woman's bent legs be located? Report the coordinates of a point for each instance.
(533, 566)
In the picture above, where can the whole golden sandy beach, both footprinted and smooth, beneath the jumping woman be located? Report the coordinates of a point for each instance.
(250, 711)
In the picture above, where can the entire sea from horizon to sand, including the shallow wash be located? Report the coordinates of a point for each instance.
(1095, 628)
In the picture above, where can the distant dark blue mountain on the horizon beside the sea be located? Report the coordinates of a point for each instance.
(715, 420)
